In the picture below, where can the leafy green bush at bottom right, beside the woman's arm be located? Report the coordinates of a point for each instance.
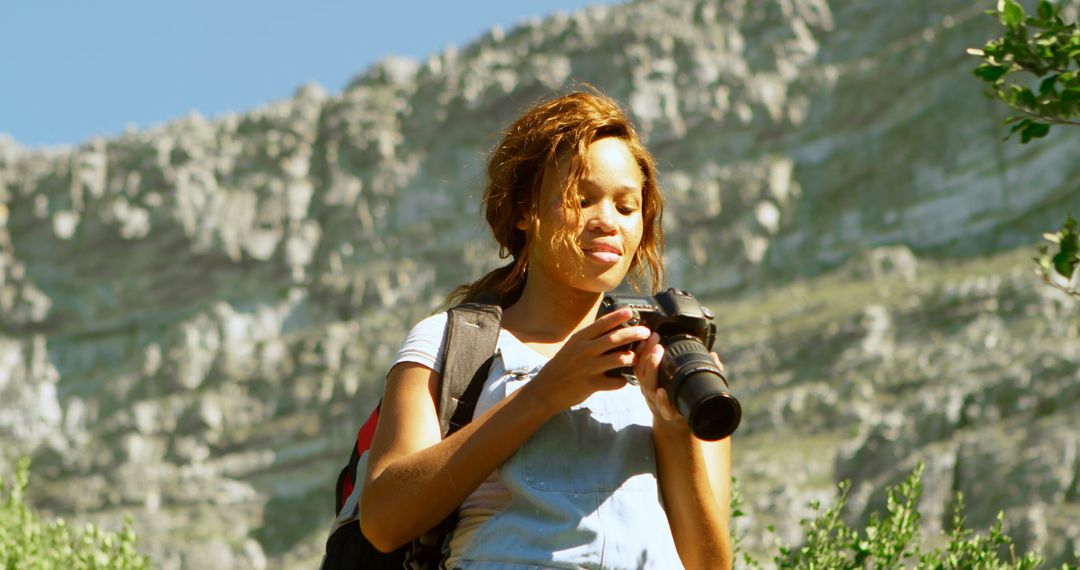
(893, 540)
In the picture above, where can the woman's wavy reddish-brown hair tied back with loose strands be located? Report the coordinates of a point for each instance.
(555, 130)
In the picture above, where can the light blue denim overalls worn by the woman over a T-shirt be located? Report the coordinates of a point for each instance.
(585, 491)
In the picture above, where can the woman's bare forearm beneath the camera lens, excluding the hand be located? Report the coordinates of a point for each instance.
(692, 474)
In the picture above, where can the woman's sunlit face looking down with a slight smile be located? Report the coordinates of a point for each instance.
(609, 230)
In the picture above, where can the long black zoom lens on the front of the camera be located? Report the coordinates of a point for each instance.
(699, 389)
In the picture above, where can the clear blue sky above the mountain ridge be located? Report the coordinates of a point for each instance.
(74, 70)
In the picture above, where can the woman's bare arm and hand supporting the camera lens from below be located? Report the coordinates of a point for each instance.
(695, 476)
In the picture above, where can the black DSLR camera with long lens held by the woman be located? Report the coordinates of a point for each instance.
(697, 387)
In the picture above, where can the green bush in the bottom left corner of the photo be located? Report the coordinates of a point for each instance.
(29, 542)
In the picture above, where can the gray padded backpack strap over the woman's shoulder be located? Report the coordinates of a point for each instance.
(472, 334)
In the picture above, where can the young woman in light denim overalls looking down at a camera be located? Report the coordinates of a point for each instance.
(562, 466)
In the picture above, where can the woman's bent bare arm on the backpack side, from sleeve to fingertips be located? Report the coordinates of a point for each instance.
(415, 479)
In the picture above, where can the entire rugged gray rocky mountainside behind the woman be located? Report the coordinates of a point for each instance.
(195, 319)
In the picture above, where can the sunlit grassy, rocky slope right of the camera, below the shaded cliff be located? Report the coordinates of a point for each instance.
(970, 369)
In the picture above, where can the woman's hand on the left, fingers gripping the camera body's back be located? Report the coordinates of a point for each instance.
(578, 369)
